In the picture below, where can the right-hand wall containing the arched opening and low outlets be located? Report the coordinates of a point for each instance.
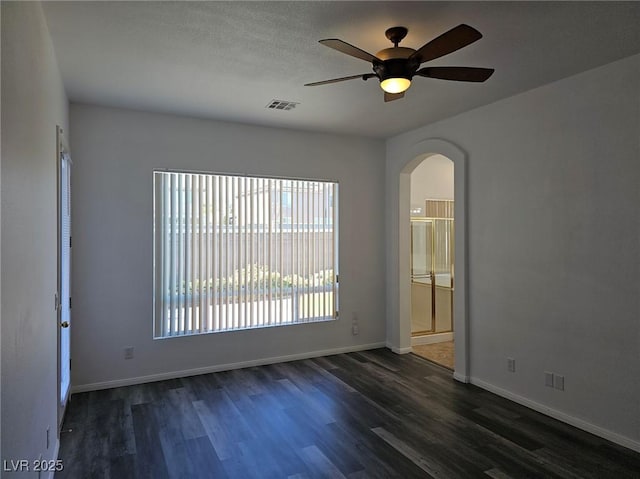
(553, 244)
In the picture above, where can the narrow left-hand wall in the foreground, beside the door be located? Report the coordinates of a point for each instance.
(33, 102)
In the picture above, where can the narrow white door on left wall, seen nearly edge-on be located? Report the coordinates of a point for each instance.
(64, 276)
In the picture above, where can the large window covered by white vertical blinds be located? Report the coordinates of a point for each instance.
(234, 252)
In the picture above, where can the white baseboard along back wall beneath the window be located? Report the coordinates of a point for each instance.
(220, 367)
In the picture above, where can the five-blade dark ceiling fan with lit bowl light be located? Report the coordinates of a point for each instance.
(396, 66)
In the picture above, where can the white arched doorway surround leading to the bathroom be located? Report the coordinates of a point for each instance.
(407, 158)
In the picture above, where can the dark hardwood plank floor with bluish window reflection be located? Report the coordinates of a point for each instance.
(359, 415)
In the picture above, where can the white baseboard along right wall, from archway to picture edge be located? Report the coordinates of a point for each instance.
(560, 416)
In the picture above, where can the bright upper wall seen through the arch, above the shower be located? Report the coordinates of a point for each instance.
(432, 179)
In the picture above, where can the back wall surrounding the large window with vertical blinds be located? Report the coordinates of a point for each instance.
(115, 152)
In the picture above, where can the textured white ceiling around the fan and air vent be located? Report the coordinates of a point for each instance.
(228, 60)
